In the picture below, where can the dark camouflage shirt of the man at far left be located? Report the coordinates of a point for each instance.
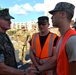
(7, 51)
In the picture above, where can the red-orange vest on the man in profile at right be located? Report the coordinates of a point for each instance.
(62, 60)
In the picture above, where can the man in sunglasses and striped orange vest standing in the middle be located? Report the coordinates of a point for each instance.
(42, 45)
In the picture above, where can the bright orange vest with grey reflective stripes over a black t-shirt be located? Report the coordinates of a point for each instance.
(42, 55)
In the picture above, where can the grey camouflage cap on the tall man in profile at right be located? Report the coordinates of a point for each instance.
(63, 6)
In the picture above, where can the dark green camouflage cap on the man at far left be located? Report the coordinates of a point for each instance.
(4, 14)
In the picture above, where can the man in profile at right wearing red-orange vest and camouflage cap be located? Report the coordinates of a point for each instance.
(64, 59)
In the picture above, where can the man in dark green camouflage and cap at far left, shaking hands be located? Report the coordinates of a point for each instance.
(8, 64)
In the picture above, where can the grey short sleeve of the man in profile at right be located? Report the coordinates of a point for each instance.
(71, 48)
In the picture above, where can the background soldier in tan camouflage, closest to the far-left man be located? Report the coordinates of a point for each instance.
(21, 38)
